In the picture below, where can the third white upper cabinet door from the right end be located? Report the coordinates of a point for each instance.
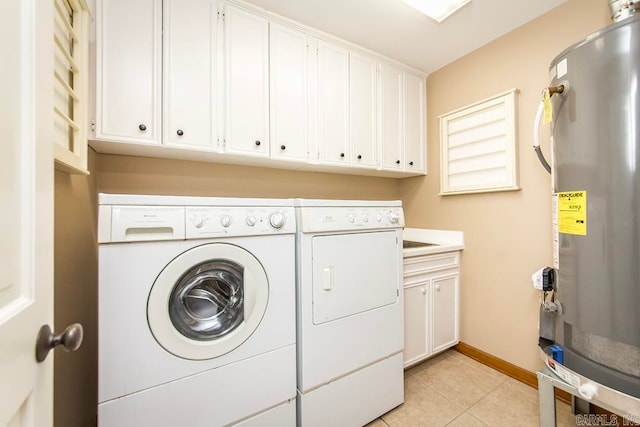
(363, 88)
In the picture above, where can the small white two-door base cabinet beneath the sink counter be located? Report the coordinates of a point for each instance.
(431, 298)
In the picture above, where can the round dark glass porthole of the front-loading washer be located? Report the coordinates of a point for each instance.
(207, 302)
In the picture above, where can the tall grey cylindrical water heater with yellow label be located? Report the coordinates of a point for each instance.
(596, 188)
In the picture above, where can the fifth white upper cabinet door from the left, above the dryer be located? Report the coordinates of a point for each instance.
(333, 104)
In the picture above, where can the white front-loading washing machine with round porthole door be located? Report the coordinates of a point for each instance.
(196, 312)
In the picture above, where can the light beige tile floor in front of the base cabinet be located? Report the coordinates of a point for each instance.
(454, 390)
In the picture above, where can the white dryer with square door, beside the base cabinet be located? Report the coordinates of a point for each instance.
(350, 310)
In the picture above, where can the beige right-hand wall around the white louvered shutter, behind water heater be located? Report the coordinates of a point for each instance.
(508, 234)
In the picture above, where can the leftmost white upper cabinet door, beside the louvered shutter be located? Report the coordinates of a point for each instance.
(128, 62)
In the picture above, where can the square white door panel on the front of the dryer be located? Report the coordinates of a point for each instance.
(353, 273)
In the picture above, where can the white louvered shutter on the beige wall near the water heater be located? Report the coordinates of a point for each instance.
(478, 149)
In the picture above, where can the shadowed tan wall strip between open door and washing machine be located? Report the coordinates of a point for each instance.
(76, 297)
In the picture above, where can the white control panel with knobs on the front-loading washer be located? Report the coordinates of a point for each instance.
(206, 221)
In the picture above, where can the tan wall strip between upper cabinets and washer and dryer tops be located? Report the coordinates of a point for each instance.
(125, 174)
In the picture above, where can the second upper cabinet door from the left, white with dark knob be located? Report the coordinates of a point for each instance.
(189, 72)
